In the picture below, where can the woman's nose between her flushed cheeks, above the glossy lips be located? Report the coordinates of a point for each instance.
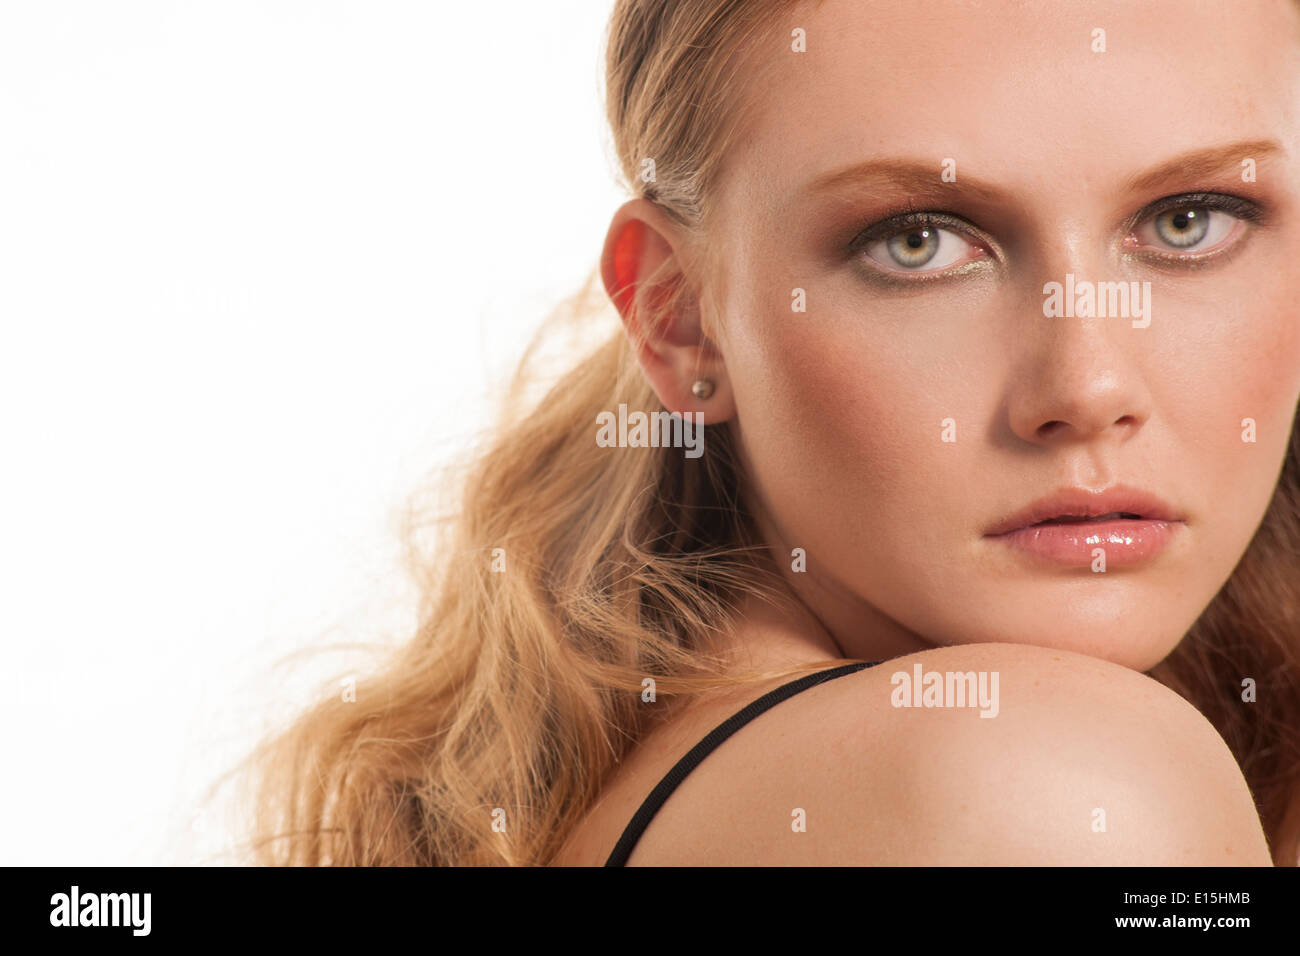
(1077, 378)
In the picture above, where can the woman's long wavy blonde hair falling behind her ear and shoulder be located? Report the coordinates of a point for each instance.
(570, 574)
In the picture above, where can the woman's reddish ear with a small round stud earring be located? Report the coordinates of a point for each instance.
(671, 345)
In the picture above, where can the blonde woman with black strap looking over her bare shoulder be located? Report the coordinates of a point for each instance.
(989, 317)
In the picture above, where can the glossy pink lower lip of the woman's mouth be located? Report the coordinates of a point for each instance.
(1125, 540)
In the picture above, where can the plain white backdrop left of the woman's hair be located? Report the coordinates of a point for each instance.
(262, 266)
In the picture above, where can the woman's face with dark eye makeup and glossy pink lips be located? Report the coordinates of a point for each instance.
(925, 396)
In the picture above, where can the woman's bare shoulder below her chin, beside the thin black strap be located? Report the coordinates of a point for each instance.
(982, 755)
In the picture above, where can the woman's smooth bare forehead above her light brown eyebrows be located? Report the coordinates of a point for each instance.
(1020, 92)
